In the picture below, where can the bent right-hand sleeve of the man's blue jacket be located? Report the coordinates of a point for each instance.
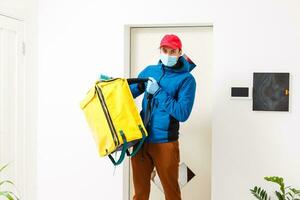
(181, 108)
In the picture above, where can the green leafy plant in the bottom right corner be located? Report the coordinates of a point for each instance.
(285, 193)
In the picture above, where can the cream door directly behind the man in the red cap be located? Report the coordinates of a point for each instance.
(195, 134)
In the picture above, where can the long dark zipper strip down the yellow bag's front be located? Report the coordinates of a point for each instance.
(107, 116)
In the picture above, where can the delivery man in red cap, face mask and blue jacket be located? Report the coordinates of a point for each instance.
(172, 88)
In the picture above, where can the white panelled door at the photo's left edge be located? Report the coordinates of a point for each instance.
(12, 105)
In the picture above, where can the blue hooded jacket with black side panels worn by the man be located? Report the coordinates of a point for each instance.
(172, 103)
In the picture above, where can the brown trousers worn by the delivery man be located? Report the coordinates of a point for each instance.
(165, 158)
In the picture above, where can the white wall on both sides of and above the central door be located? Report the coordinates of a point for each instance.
(80, 39)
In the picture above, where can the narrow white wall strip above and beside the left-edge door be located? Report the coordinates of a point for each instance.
(26, 10)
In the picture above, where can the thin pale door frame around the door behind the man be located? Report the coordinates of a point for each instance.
(127, 74)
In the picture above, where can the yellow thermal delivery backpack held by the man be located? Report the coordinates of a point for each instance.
(113, 117)
